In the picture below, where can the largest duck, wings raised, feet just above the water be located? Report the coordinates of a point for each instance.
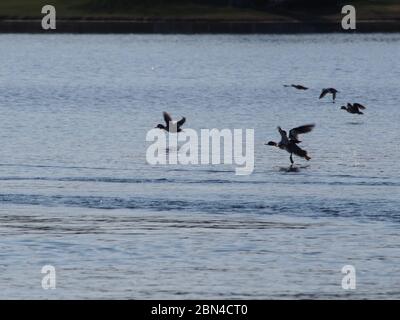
(290, 144)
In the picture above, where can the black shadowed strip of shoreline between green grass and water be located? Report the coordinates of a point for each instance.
(194, 26)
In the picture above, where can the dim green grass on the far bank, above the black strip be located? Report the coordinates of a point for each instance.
(181, 9)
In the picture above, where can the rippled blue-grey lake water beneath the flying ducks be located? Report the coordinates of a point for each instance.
(76, 191)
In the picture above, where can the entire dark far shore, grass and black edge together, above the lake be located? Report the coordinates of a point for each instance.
(199, 16)
